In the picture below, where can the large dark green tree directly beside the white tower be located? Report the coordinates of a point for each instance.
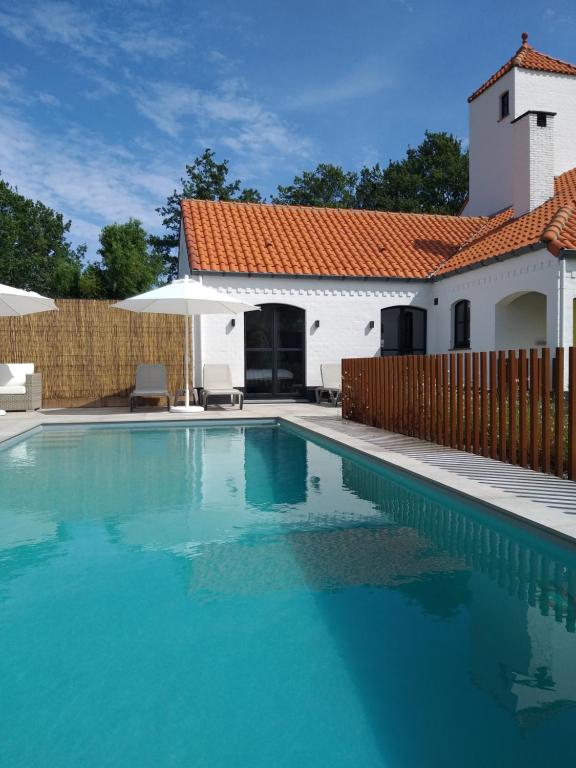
(432, 178)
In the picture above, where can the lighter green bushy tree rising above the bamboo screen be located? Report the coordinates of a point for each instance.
(126, 267)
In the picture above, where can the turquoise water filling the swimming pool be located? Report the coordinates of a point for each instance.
(244, 597)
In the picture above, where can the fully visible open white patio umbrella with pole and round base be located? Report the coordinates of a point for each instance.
(188, 298)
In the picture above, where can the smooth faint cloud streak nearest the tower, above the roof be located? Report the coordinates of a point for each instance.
(366, 79)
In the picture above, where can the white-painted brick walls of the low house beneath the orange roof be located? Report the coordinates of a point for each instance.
(345, 308)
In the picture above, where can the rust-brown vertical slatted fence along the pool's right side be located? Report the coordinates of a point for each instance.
(504, 405)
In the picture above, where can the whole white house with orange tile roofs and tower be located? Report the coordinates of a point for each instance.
(336, 283)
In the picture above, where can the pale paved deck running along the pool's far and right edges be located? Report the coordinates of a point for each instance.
(540, 500)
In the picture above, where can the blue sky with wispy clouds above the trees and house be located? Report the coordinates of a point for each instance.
(102, 103)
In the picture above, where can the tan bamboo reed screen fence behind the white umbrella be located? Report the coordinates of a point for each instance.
(87, 352)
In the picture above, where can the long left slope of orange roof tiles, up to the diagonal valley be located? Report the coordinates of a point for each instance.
(294, 240)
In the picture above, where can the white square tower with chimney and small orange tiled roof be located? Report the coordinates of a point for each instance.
(522, 132)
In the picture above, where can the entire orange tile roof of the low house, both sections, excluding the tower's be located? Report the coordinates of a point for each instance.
(249, 238)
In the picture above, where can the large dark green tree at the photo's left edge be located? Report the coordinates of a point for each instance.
(34, 250)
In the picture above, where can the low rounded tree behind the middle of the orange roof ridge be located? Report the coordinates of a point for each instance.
(327, 186)
